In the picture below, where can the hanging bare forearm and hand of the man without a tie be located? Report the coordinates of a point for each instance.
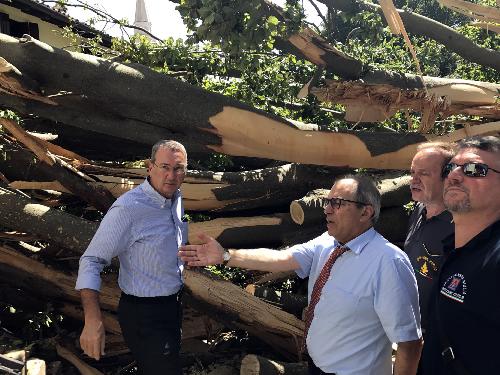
(93, 335)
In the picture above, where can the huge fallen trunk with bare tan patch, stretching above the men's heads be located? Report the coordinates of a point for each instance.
(102, 101)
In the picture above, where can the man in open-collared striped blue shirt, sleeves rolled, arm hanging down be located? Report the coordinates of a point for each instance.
(144, 229)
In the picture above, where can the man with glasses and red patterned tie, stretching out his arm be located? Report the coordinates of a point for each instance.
(370, 297)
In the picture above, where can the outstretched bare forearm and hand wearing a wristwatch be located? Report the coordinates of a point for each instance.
(211, 252)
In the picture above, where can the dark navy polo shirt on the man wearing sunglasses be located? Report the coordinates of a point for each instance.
(468, 294)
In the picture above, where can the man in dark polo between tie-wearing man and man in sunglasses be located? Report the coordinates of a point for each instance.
(429, 222)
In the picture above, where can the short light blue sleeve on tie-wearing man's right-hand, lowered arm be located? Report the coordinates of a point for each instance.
(396, 301)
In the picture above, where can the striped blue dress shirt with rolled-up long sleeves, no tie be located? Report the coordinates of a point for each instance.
(144, 229)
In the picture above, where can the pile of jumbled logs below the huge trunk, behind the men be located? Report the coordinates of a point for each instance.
(41, 240)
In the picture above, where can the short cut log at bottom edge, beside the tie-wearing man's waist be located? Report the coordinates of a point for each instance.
(253, 364)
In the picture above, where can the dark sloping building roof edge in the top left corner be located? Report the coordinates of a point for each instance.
(52, 16)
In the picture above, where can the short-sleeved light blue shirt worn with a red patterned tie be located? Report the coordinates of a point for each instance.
(369, 301)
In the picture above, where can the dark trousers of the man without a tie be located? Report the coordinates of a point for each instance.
(151, 327)
